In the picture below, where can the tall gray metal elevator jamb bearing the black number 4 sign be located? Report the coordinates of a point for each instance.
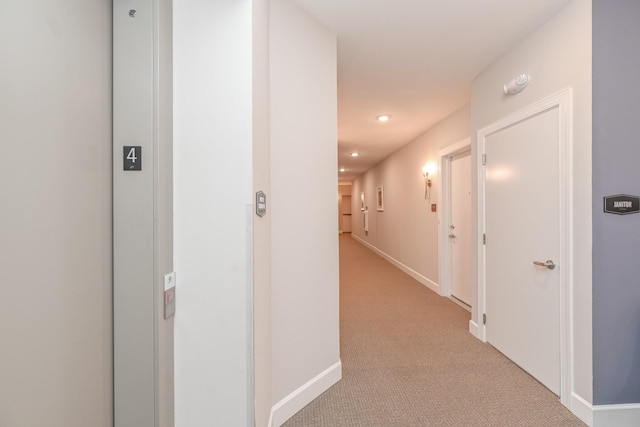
(135, 294)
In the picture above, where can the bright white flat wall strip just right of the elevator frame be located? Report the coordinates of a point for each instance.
(213, 202)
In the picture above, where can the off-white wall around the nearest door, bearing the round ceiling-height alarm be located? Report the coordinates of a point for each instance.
(556, 56)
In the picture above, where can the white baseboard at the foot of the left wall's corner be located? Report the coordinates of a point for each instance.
(300, 398)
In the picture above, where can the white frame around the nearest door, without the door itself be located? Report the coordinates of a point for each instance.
(562, 103)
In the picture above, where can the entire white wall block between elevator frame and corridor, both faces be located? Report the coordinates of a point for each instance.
(222, 154)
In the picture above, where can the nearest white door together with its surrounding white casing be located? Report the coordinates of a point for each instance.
(524, 207)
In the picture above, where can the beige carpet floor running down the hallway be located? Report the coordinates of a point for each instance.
(409, 360)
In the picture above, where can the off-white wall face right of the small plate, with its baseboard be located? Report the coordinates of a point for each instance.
(304, 236)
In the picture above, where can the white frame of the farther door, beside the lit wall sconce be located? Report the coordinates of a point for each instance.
(444, 216)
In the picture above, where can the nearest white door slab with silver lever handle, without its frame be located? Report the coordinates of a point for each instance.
(522, 202)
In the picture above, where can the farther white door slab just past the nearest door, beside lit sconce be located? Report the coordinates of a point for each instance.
(460, 227)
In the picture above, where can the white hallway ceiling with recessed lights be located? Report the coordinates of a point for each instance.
(413, 60)
